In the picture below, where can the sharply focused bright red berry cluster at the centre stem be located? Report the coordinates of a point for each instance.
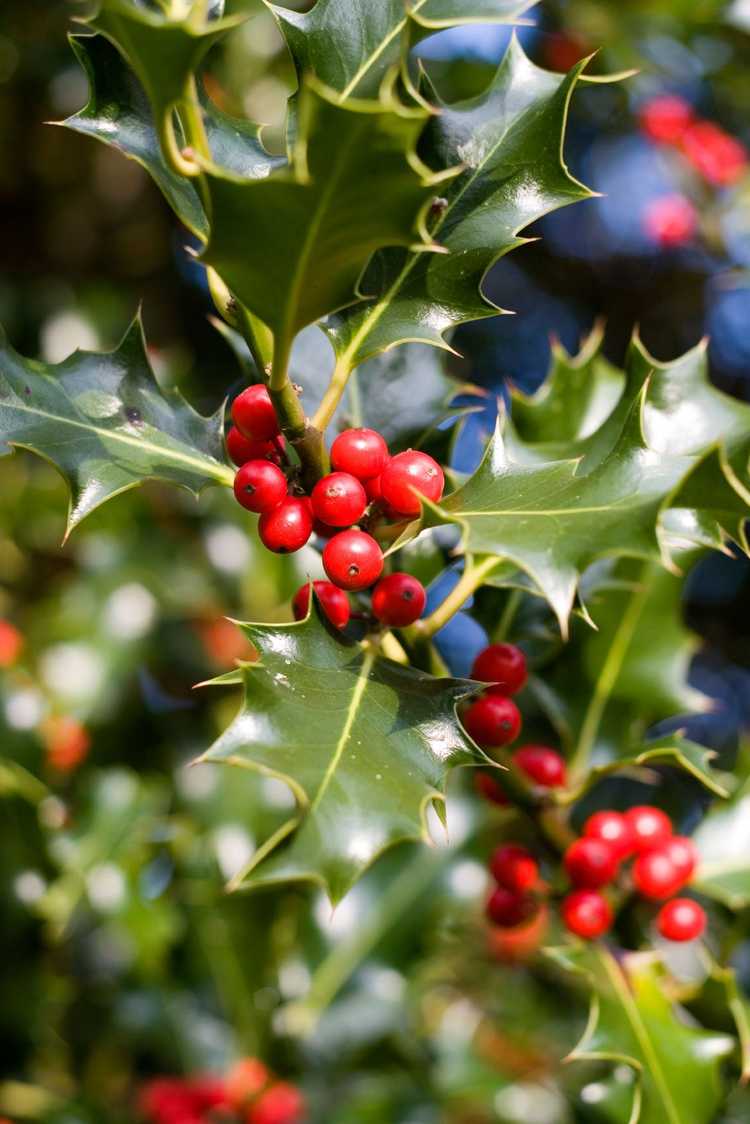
(366, 488)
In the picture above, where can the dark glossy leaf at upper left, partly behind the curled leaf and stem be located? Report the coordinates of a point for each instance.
(120, 115)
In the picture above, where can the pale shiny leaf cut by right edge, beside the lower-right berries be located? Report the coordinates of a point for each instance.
(724, 842)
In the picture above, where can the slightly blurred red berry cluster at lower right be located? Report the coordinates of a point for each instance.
(663, 865)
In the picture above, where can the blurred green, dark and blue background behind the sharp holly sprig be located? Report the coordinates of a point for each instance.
(121, 956)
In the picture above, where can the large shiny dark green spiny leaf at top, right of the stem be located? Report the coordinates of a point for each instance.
(509, 143)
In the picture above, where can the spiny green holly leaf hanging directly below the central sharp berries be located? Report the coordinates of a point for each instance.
(364, 744)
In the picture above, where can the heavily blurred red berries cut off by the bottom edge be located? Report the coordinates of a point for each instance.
(248, 1093)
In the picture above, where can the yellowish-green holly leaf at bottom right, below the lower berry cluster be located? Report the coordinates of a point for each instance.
(676, 1066)
